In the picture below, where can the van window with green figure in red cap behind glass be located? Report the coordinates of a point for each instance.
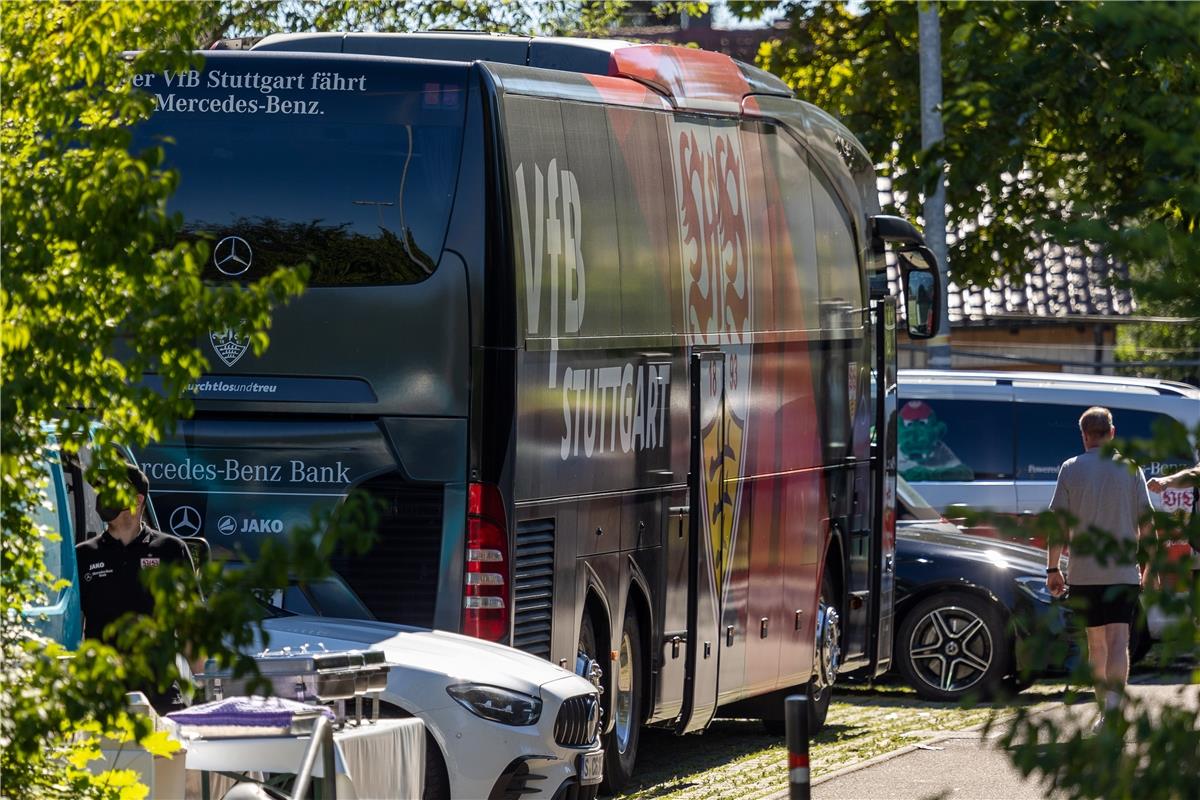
(956, 441)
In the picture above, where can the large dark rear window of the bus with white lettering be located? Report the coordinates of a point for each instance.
(346, 165)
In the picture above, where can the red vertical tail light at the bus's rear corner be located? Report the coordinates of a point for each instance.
(485, 612)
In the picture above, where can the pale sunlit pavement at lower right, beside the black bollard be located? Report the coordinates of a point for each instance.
(971, 765)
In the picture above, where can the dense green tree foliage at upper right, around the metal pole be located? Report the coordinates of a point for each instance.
(1067, 121)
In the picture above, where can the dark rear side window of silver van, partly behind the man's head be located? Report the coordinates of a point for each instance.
(1048, 435)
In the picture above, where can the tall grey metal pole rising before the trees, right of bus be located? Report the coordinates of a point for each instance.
(931, 38)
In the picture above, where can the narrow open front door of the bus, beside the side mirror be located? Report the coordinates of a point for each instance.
(884, 473)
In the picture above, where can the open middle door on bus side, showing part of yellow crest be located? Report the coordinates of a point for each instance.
(706, 521)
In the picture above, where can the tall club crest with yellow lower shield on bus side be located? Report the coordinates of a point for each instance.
(716, 255)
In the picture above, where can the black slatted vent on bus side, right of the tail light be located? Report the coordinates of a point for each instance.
(533, 587)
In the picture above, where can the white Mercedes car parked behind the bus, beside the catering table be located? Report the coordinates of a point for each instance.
(502, 724)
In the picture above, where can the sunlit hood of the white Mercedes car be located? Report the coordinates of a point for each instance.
(459, 659)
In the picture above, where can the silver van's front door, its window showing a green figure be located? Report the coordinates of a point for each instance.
(956, 443)
